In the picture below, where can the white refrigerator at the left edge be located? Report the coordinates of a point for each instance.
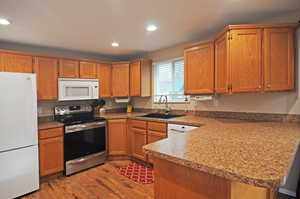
(19, 168)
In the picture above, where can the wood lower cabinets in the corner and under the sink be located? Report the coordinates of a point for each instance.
(127, 137)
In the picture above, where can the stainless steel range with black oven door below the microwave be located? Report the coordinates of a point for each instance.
(84, 137)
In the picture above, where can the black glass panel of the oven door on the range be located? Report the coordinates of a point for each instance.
(84, 143)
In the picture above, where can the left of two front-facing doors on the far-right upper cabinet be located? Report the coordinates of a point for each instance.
(245, 60)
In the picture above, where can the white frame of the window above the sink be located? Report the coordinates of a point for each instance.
(154, 80)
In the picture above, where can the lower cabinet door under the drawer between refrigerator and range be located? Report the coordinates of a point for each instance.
(51, 155)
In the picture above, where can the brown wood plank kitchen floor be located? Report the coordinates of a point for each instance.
(103, 182)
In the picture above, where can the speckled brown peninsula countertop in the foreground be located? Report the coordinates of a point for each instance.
(255, 153)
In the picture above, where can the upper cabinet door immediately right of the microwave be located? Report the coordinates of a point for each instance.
(104, 77)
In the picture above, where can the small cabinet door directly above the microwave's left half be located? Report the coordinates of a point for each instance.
(68, 68)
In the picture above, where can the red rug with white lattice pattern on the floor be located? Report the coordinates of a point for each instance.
(138, 173)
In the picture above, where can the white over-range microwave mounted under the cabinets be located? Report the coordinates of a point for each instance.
(77, 89)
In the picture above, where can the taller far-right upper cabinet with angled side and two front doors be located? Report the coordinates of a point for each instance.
(255, 58)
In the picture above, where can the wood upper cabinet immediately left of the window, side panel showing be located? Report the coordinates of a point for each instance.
(140, 78)
